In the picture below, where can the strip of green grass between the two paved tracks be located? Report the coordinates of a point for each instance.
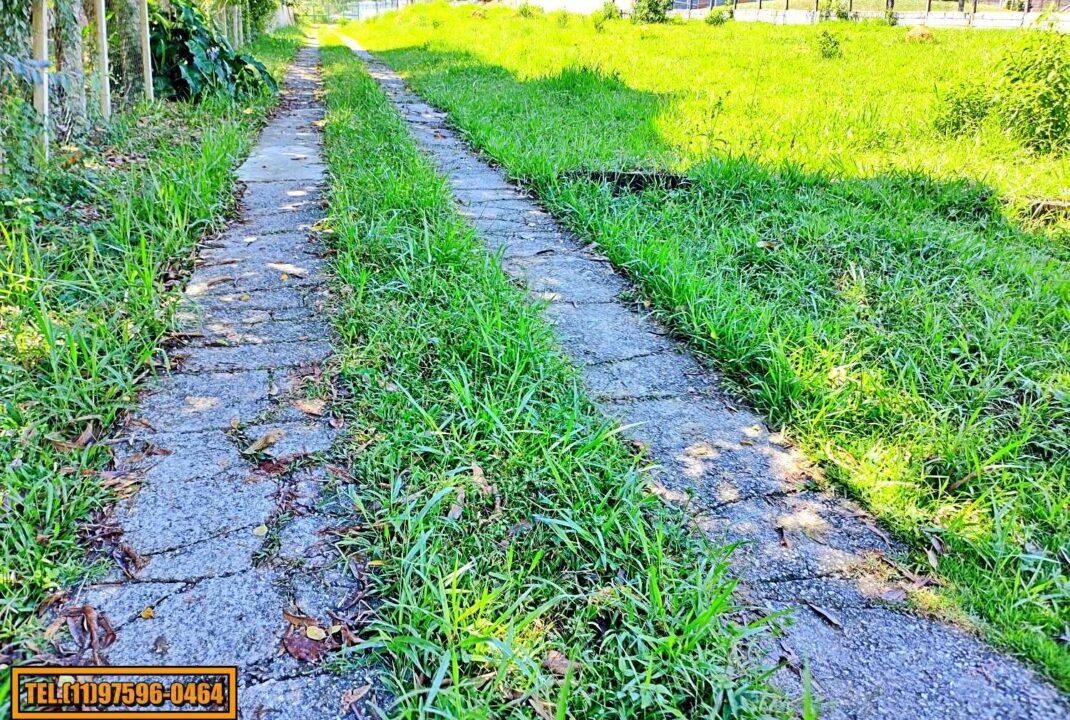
(501, 520)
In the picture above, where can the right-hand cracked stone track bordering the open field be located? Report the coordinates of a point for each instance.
(809, 553)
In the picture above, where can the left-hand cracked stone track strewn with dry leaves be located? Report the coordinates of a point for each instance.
(226, 531)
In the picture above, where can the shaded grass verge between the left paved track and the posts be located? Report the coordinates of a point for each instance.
(90, 262)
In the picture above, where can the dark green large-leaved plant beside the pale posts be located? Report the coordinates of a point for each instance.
(193, 62)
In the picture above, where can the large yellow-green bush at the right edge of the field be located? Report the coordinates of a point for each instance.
(1034, 97)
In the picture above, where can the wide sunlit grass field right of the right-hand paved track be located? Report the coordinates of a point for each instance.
(861, 278)
